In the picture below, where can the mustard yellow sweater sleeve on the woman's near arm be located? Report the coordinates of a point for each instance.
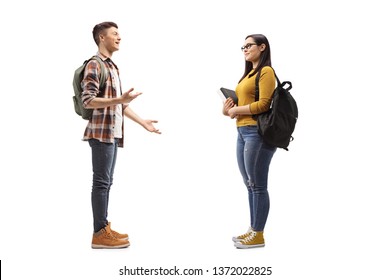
(266, 89)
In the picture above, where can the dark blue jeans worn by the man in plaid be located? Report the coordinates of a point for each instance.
(103, 165)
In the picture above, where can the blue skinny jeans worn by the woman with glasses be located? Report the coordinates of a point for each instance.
(254, 157)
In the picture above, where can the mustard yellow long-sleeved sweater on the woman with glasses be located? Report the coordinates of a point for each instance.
(245, 91)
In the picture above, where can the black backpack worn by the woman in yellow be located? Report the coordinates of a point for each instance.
(278, 123)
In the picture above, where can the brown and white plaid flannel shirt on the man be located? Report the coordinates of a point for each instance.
(101, 125)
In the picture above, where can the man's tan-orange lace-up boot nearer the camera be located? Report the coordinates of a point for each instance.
(104, 239)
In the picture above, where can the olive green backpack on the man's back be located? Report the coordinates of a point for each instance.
(86, 114)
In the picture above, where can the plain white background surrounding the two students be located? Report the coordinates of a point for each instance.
(179, 195)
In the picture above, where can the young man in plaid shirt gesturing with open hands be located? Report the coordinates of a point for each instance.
(104, 131)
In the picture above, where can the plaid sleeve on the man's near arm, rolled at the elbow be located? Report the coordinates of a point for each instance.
(90, 82)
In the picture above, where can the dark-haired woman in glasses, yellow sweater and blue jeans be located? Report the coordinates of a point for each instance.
(253, 155)
